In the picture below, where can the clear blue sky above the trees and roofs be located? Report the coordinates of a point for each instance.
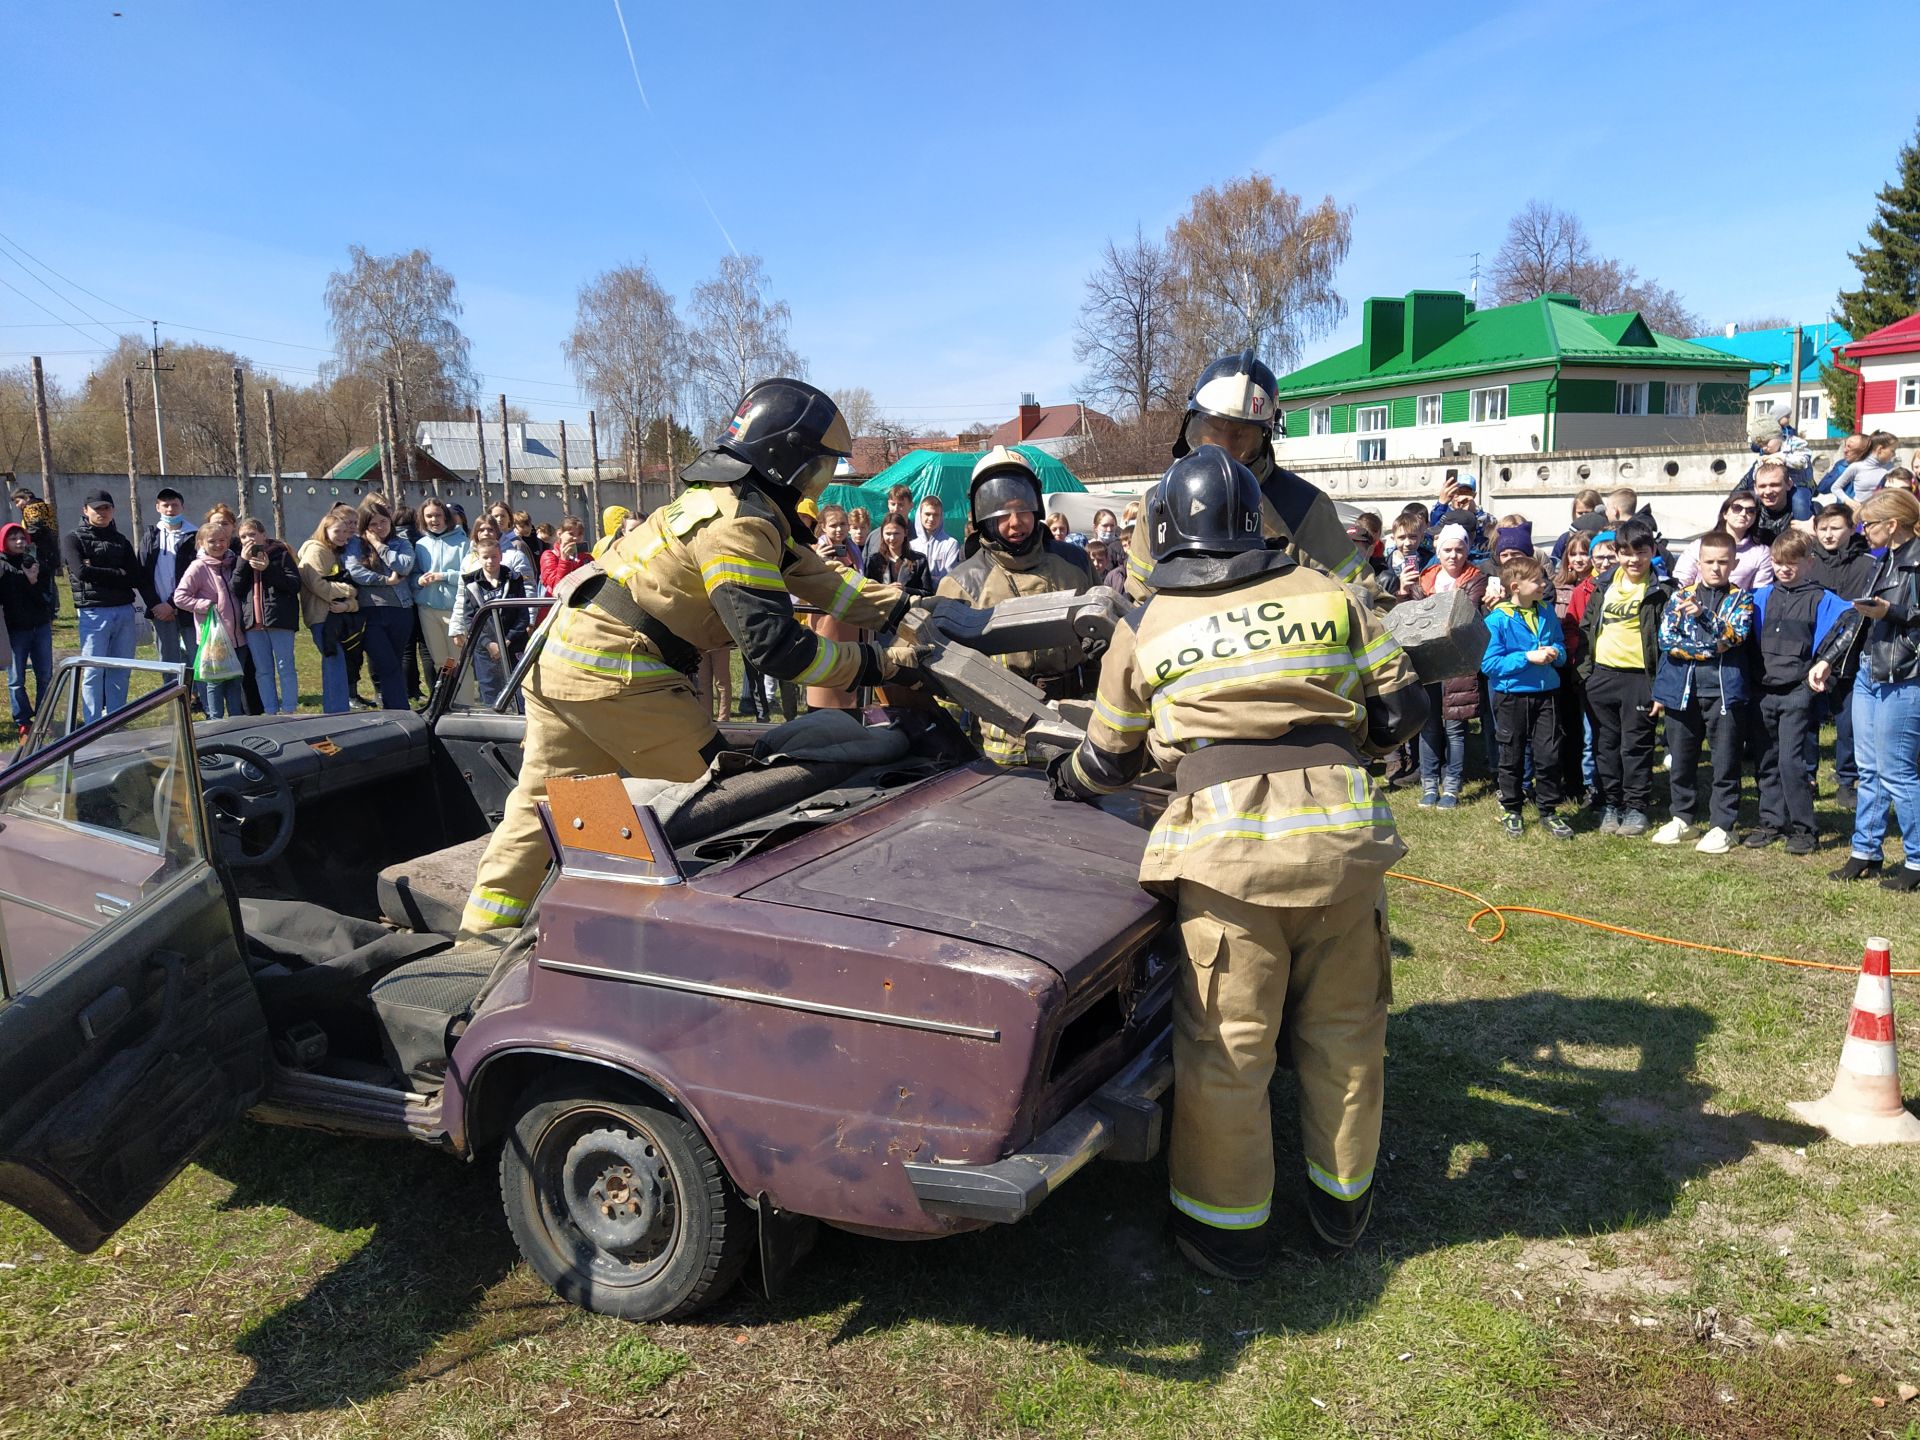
(928, 185)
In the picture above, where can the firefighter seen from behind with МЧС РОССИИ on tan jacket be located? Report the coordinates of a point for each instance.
(1260, 686)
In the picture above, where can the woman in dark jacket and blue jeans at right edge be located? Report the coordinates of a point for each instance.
(1884, 640)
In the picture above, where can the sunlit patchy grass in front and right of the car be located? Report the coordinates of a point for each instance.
(1596, 1218)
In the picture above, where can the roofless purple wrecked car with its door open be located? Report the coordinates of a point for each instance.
(853, 976)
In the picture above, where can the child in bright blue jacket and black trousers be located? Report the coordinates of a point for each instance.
(1525, 650)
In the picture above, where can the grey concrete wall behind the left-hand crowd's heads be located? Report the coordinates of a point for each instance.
(306, 500)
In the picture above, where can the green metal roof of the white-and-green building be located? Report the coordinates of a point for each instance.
(1437, 333)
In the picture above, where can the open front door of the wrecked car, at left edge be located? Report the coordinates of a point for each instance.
(130, 1028)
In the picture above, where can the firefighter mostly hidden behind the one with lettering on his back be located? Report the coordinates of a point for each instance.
(1234, 406)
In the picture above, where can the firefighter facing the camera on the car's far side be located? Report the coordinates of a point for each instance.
(1011, 554)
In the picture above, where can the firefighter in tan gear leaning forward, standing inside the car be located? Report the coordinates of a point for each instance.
(612, 686)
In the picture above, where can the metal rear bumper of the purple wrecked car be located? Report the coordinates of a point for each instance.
(1122, 1120)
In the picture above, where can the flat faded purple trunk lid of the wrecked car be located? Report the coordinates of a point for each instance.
(997, 865)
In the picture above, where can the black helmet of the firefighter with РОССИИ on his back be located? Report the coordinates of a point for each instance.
(1205, 525)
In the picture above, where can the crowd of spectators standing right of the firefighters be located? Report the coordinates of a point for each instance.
(1620, 660)
